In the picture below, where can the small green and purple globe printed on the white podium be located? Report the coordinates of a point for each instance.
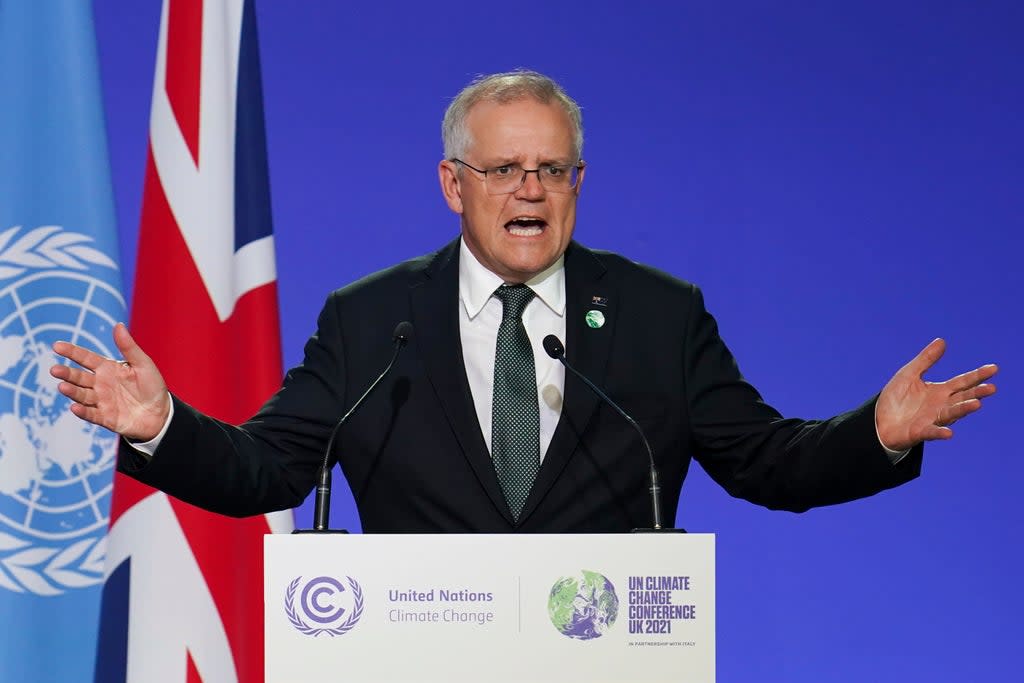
(584, 607)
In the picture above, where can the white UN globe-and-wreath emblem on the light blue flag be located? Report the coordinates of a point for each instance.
(56, 471)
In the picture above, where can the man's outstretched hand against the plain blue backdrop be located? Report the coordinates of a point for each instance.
(911, 411)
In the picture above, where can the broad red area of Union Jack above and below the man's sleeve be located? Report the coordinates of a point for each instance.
(227, 370)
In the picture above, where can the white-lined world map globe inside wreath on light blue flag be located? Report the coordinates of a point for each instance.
(56, 471)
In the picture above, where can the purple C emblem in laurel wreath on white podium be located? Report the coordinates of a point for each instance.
(325, 606)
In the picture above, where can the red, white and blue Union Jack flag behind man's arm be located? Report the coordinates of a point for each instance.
(184, 597)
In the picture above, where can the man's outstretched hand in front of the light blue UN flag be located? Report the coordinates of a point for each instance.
(126, 397)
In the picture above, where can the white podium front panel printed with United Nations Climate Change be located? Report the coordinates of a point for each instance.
(510, 609)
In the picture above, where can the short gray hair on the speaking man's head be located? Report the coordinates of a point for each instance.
(504, 89)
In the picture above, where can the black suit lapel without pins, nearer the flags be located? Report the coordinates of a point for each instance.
(435, 304)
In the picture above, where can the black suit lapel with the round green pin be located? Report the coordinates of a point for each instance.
(587, 350)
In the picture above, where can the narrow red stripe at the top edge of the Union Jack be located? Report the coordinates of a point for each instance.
(185, 61)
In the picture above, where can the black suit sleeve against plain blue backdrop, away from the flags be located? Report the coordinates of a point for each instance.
(755, 454)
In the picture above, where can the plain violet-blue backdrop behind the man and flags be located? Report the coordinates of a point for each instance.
(843, 180)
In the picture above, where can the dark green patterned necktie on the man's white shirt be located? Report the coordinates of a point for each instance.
(516, 417)
